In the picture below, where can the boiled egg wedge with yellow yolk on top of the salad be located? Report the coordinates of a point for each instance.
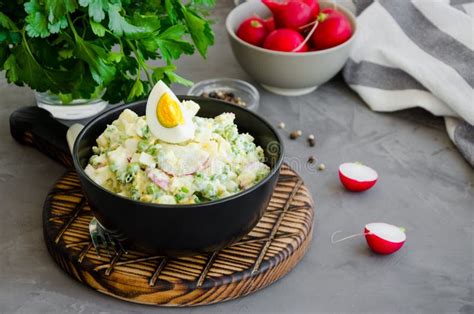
(168, 119)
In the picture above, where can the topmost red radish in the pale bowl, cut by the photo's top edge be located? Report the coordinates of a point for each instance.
(290, 13)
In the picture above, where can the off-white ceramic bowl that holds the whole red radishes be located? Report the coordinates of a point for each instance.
(286, 73)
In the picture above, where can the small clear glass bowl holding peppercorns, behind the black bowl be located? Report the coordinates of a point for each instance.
(246, 91)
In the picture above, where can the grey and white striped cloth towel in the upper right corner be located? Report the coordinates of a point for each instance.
(418, 53)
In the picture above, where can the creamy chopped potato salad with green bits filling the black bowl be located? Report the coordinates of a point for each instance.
(216, 162)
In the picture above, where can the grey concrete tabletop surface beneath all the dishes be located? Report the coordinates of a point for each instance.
(424, 185)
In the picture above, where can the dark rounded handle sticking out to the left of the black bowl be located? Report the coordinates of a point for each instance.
(37, 127)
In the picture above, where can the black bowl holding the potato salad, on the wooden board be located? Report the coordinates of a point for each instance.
(182, 229)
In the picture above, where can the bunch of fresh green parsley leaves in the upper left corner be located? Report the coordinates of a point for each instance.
(78, 48)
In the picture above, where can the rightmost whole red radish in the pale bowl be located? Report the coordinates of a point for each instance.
(334, 29)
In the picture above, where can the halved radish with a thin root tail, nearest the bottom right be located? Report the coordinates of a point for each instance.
(383, 238)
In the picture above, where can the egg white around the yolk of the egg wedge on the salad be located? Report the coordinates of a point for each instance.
(178, 134)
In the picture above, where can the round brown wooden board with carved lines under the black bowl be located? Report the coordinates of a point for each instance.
(267, 253)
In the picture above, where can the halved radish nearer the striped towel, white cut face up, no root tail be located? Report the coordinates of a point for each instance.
(357, 177)
